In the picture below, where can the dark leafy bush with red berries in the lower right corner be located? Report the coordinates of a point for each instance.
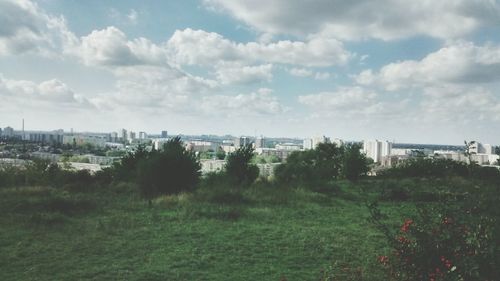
(457, 239)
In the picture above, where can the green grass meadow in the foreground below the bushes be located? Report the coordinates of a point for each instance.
(269, 234)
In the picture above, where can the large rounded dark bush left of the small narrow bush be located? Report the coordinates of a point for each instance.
(171, 170)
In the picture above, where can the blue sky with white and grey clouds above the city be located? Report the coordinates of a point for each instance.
(406, 71)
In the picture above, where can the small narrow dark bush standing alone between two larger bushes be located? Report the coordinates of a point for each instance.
(238, 167)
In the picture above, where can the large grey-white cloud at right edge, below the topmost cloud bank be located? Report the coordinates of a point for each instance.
(457, 63)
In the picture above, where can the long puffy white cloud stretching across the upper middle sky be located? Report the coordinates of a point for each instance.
(203, 48)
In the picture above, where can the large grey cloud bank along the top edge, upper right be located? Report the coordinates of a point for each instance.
(387, 19)
